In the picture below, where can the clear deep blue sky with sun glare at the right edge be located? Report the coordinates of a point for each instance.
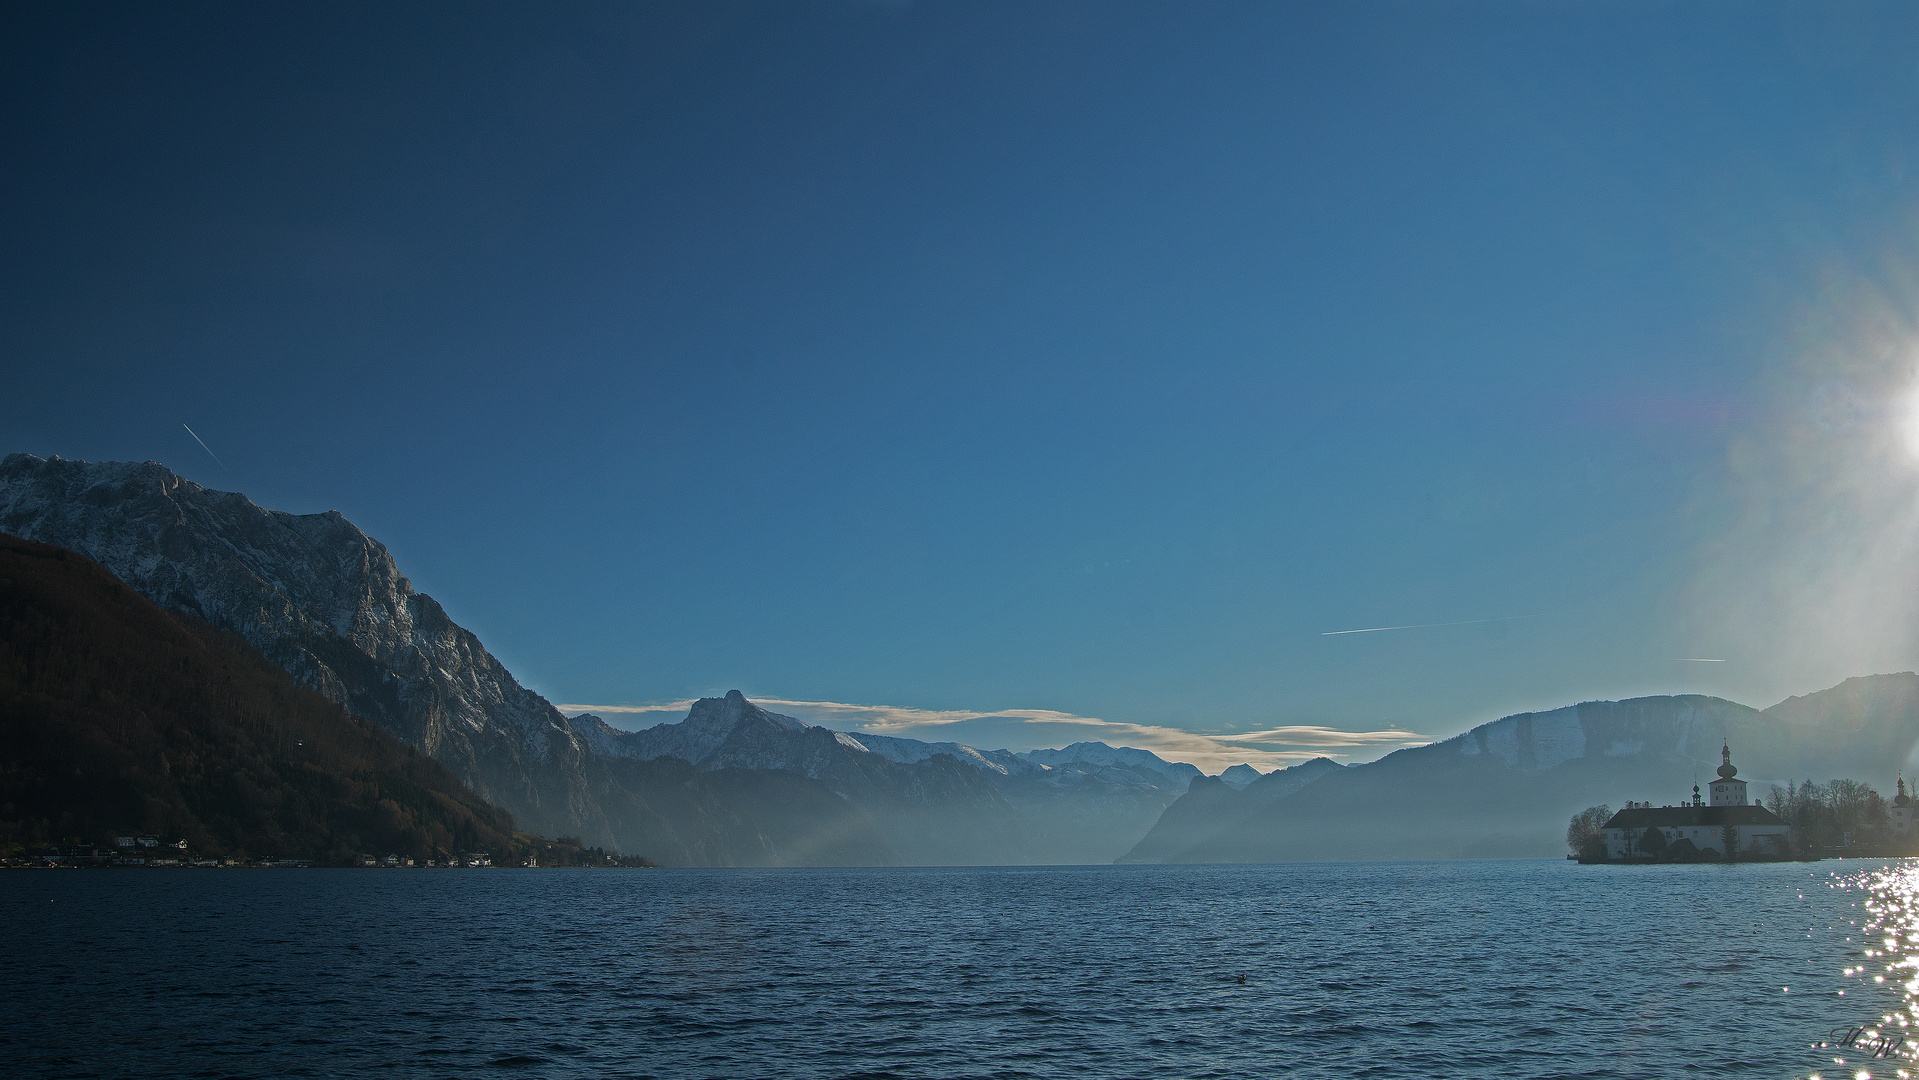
(1085, 360)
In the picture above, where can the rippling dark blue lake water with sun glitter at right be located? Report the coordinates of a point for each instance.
(1515, 970)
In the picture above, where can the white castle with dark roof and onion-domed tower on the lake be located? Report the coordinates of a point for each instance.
(1728, 824)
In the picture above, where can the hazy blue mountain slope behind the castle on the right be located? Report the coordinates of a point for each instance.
(1509, 787)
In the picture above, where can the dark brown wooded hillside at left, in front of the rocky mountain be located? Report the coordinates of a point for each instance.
(120, 718)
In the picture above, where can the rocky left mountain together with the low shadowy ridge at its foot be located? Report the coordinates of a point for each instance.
(327, 603)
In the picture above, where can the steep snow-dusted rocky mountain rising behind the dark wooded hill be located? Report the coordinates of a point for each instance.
(329, 605)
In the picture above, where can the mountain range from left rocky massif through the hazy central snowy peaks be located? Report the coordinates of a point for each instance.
(728, 786)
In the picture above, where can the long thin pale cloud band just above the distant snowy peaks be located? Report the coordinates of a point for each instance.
(1035, 728)
